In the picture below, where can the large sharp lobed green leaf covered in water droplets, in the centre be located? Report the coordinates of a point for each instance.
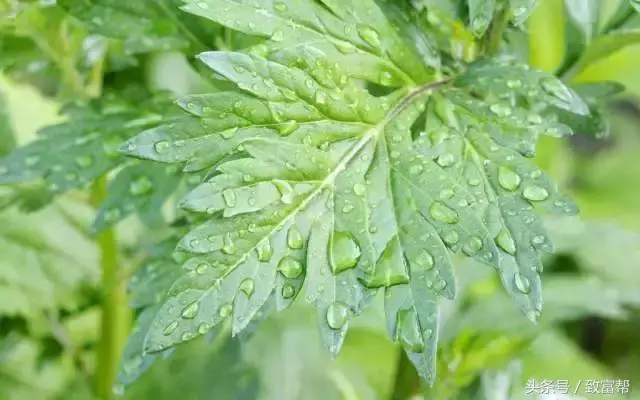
(319, 189)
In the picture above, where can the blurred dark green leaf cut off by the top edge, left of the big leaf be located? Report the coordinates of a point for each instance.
(152, 26)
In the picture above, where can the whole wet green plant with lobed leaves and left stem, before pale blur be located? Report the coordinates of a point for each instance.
(332, 151)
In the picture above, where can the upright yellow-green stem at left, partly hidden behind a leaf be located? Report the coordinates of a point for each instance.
(116, 316)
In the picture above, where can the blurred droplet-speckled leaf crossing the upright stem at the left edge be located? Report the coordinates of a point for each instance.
(72, 154)
